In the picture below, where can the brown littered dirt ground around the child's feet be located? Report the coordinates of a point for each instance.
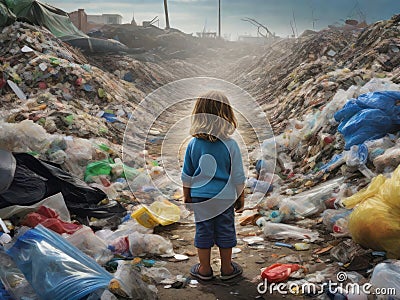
(252, 258)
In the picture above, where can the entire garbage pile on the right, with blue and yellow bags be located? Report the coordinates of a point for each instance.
(334, 191)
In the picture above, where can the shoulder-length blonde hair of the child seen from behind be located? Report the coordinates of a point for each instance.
(213, 117)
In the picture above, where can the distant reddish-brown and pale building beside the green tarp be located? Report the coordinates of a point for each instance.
(87, 22)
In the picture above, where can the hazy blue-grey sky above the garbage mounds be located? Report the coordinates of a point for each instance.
(192, 15)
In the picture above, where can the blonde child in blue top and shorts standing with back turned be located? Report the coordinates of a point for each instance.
(213, 181)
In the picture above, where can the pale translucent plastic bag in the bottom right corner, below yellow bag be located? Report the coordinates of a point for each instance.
(387, 275)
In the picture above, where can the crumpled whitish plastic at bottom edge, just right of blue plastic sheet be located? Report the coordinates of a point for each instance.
(127, 283)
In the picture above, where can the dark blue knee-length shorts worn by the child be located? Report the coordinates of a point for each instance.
(219, 230)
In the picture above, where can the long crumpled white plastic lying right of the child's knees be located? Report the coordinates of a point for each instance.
(284, 231)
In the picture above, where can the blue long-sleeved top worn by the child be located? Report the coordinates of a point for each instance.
(213, 169)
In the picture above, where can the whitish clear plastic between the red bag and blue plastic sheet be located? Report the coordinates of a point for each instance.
(85, 240)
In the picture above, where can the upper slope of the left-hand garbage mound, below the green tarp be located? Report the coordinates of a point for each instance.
(59, 89)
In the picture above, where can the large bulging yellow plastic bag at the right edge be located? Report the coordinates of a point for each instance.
(375, 221)
